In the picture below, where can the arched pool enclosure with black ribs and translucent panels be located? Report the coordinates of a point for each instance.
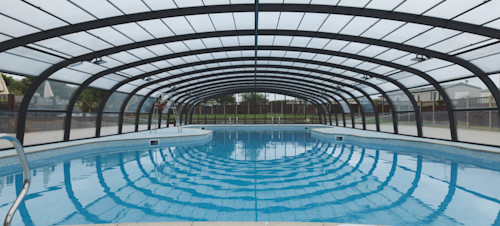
(331, 53)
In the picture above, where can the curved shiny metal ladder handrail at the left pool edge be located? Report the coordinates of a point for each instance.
(26, 175)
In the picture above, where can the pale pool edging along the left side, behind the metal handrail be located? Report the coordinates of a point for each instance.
(143, 135)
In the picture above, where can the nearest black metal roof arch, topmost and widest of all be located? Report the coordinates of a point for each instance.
(374, 13)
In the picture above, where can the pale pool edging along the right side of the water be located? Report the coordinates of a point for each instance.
(332, 130)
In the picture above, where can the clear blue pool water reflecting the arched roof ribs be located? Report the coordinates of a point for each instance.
(258, 176)
